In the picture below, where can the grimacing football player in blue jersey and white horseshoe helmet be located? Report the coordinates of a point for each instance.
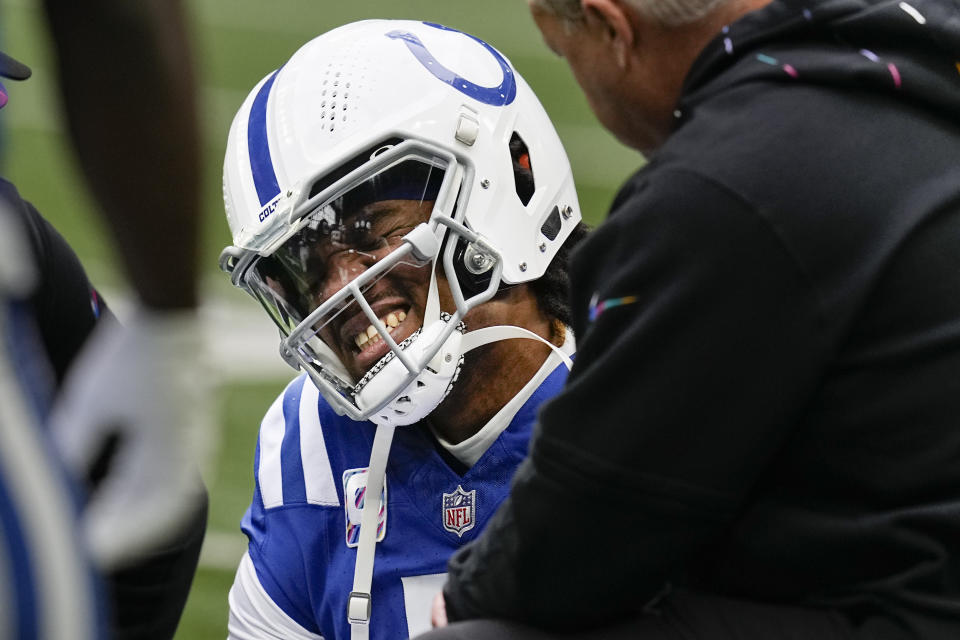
(402, 208)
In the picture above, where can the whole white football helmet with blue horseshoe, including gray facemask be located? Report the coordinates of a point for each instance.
(412, 114)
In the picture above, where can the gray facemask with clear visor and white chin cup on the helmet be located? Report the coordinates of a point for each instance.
(353, 287)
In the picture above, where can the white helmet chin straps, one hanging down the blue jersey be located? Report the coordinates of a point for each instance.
(359, 604)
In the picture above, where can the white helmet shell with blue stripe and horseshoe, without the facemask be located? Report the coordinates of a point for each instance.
(364, 83)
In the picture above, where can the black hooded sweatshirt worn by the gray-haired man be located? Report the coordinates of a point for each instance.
(765, 403)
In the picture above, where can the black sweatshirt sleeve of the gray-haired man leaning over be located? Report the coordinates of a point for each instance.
(699, 340)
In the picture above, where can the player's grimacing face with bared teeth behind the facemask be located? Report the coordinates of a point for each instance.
(398, 298)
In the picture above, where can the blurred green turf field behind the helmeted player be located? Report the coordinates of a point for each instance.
(237, 42)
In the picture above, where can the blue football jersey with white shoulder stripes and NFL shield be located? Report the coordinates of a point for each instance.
(303, 522)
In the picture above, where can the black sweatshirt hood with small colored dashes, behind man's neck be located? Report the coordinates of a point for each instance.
(906, 50)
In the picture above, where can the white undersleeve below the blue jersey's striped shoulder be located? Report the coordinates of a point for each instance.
(254, 615)
